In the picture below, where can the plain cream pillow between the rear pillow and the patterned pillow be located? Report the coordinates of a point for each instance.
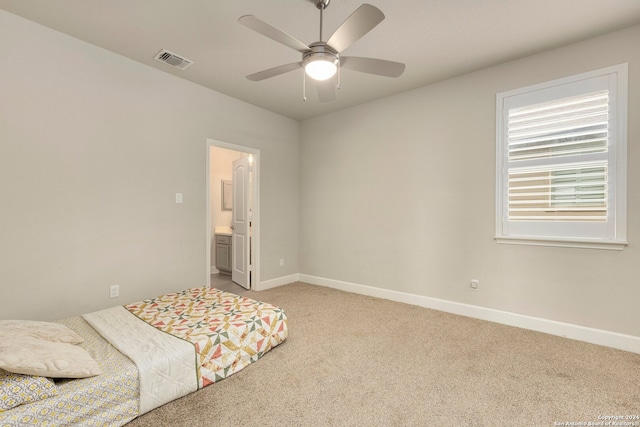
(30, 356)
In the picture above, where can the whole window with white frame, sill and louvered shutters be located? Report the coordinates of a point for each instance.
(561, 162)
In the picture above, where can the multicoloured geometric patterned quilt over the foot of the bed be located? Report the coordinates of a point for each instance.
(228, 331)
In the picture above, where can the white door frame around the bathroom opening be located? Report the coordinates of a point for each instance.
(255, 214)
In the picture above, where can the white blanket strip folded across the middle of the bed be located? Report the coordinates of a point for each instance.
(166, 364)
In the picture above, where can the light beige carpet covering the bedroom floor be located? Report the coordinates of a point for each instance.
(353, 360)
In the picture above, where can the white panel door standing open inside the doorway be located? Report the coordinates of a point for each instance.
(241, 244)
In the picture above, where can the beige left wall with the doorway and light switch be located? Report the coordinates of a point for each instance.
(93, 148)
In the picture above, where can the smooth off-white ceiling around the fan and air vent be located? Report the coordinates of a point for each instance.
(436, 39)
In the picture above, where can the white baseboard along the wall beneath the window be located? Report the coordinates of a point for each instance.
(581, 333)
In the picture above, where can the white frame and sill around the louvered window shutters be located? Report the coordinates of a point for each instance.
(610, 234)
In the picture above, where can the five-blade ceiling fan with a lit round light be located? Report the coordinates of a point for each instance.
(321, 60)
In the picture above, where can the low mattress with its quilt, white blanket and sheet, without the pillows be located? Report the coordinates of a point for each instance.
(216, 333)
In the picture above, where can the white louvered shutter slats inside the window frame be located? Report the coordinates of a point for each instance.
(563, 127)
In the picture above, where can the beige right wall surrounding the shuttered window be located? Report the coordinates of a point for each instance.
(399, 194)
